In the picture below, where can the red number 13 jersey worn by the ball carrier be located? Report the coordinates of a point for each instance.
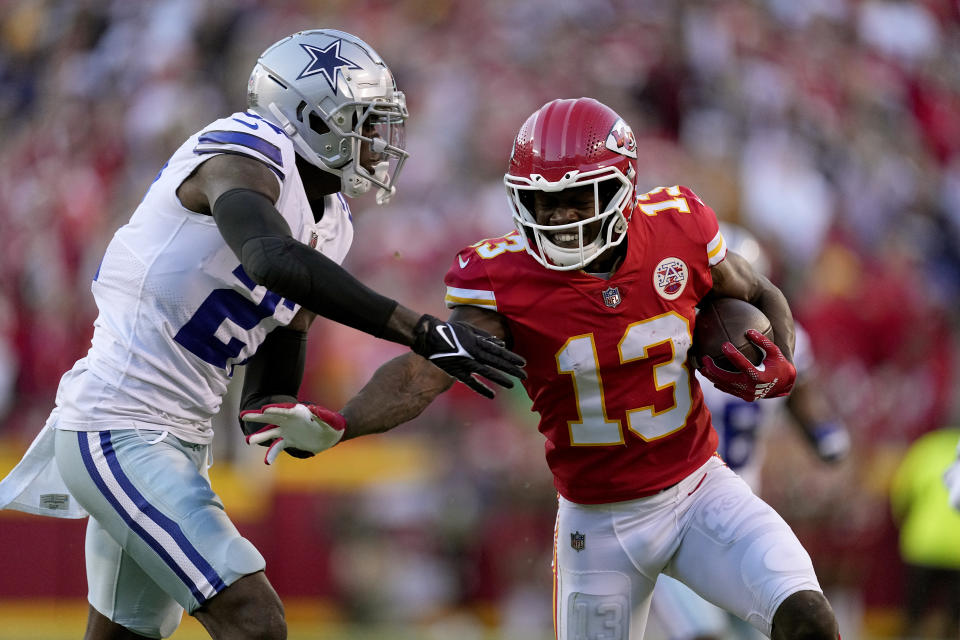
(607, 367)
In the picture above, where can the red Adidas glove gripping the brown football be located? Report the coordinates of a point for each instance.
(774, 377)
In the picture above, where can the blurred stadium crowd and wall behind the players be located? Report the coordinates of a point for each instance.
(831, 128)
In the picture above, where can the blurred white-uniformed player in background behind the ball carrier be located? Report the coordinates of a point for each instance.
(678, 611)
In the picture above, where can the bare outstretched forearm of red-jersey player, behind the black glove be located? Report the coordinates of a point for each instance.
(398, 392)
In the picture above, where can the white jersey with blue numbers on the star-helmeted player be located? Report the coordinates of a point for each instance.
(177, 312)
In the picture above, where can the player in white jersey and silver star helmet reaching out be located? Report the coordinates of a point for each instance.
(234, 248)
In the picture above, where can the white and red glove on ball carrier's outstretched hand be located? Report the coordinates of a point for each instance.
(301, 429)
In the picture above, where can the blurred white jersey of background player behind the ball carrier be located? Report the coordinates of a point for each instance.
(739, 423)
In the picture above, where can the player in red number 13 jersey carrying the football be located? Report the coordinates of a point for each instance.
(598, 288)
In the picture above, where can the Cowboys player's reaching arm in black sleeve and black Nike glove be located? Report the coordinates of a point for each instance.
(240, 193)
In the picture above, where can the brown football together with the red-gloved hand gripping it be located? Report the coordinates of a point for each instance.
(732, 347)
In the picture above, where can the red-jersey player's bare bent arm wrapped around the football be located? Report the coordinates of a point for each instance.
(736, 278)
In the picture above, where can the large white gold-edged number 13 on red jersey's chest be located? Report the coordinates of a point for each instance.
(667, 377)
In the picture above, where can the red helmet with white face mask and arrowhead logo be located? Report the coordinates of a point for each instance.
(566, 144)
